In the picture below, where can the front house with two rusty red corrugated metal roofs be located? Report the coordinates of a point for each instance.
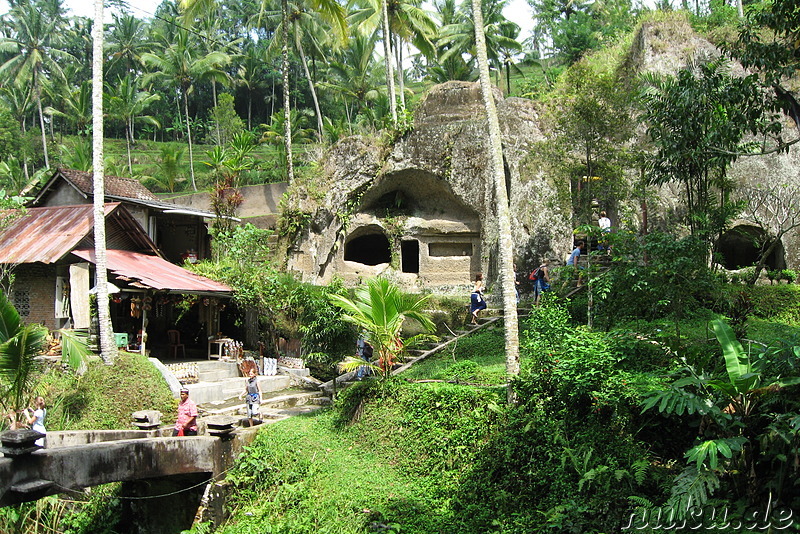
(50, 252)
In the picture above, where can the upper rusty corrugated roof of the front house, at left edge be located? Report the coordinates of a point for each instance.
(47, 234)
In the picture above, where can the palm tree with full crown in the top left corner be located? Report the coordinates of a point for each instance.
(33, 51)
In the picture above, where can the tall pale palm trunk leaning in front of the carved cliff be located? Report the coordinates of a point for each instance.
(501, 205)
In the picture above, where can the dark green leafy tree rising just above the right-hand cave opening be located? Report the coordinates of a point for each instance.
(697, 153)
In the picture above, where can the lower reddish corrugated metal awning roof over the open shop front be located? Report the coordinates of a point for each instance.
(152, 272)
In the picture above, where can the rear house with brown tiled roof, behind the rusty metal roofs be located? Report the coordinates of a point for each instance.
(179, 232)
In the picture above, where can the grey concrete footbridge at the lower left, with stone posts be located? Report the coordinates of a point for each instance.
(159, 474)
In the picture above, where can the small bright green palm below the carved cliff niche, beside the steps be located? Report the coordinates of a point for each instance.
(380, 309)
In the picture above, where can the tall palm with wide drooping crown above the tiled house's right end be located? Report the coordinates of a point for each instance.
(180, 66)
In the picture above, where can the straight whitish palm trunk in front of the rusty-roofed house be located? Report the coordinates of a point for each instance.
(108, 348)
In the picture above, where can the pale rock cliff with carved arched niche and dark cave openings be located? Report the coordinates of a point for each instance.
(422, 211)
